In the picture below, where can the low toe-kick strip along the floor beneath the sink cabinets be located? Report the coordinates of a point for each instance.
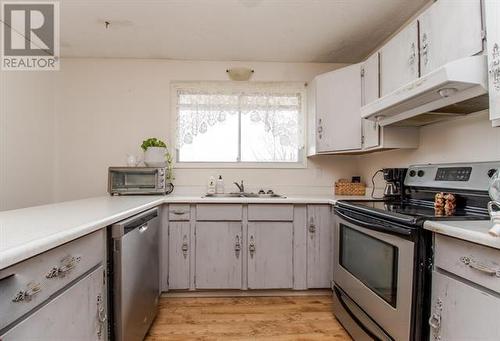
(246, 293)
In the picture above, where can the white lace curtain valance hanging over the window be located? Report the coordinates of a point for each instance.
(277, 107)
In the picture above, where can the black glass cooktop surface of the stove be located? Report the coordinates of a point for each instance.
(413, 211)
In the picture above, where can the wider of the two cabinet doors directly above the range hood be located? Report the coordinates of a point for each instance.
(449, 30)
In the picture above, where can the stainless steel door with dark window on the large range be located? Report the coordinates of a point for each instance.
(375, 269)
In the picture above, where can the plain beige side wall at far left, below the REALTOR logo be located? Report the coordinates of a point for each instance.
(26, 139)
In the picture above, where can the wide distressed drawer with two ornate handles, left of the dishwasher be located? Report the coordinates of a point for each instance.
(28, 284)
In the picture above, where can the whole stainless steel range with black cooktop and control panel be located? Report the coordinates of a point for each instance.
(383, 255)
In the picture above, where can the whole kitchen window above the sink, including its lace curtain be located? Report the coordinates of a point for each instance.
(252, 124)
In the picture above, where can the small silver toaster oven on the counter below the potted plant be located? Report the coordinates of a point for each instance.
(138, 180)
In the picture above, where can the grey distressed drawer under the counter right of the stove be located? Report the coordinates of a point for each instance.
(476, 263)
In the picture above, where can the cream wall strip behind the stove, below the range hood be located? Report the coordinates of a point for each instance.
(469, 138)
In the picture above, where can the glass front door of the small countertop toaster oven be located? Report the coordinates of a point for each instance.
(139, 180)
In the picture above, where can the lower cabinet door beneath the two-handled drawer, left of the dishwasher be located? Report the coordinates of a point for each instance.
(72, 315)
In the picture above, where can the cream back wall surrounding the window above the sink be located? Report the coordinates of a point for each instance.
(106, 107)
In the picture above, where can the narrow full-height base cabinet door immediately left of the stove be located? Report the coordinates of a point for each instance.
(319, 246)
